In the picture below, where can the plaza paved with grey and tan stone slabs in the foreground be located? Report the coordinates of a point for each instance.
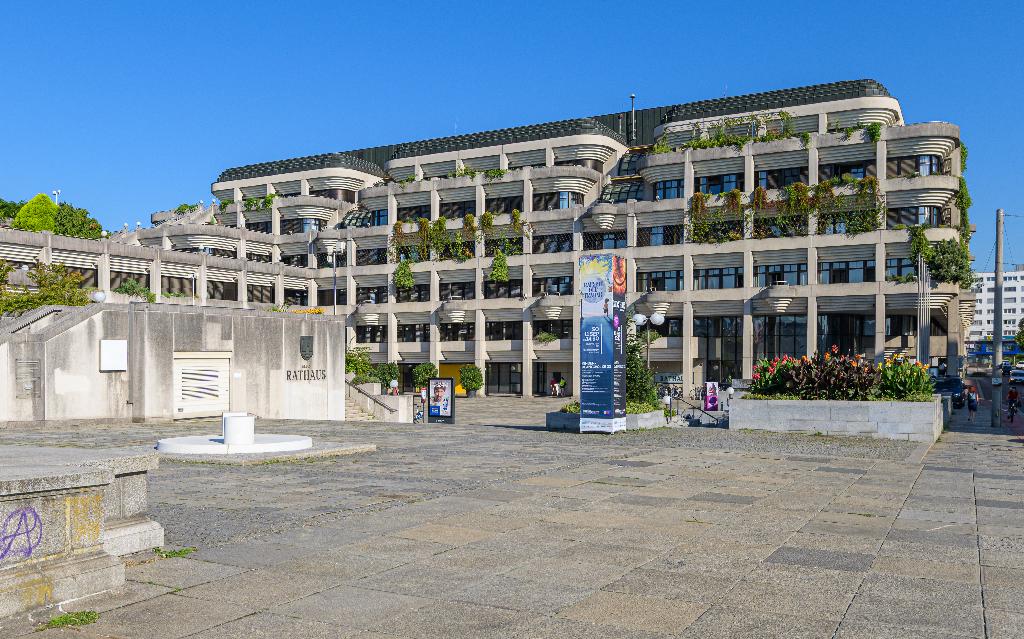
(499, 529)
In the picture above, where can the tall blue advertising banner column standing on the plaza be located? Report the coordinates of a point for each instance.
(603, 344)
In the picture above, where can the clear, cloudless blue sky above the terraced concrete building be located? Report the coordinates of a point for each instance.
(136, 107)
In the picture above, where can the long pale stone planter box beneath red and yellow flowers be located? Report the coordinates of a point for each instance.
(916, 421)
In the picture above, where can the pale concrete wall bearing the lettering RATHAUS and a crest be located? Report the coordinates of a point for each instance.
(263, 349)
